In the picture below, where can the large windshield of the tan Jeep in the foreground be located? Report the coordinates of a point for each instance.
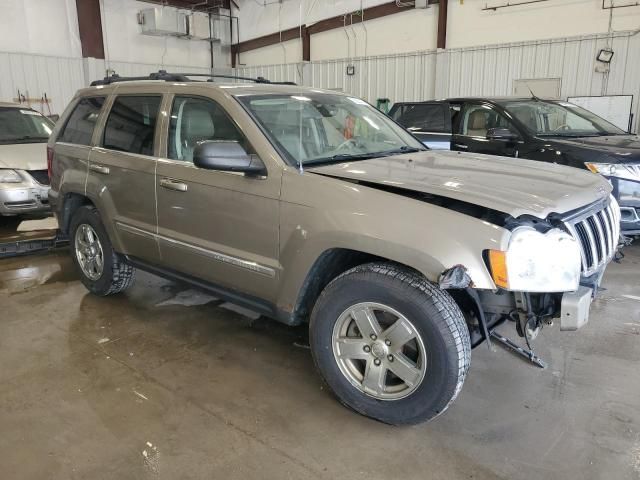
(322, 128)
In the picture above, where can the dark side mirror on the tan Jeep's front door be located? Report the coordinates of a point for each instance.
(226, 156)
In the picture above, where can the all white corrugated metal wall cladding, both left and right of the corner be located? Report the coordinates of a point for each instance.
(426, 75)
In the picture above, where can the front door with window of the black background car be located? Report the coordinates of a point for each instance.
(472, 125)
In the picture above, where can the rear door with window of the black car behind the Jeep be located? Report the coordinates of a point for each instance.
(430, 122)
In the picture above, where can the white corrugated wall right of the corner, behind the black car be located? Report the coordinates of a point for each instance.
(483, 71)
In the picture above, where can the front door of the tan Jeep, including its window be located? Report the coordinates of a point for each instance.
(220, 227)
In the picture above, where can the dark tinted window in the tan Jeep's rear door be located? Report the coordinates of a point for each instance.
(131, 124)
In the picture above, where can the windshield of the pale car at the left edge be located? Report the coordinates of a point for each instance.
(18, 125)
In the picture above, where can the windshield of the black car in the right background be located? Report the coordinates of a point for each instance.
(559, 119)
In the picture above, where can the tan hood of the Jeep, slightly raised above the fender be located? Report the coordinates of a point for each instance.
(513, 186)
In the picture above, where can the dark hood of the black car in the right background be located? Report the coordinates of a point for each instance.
(607, 149)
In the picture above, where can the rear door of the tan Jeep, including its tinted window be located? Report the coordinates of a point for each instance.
(121, 178)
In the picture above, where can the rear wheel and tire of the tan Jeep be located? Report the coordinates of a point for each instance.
(102, 270)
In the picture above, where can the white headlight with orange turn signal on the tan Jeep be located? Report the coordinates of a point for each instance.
(537, 262)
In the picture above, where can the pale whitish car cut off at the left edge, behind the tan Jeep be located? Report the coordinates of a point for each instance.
(24, 178)
